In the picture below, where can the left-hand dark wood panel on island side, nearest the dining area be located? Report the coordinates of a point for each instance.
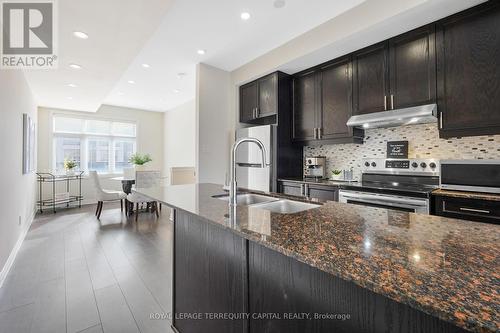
(209, 276)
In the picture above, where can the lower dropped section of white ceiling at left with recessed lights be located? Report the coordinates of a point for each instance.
(117, 30)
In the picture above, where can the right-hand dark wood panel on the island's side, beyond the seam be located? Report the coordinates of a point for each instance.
(280, 284)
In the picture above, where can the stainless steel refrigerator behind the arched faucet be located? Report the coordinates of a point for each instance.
(249, 174)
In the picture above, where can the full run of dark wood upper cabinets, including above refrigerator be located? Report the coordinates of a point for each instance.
(453, 62)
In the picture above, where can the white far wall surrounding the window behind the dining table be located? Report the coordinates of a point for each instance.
(149, 140)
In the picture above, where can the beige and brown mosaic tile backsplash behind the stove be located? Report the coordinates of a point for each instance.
(424, 142)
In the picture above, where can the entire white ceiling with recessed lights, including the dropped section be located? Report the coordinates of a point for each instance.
(165, 34)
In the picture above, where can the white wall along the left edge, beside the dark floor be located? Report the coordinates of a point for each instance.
(17, 197)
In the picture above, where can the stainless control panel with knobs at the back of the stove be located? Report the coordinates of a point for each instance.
(406, 166)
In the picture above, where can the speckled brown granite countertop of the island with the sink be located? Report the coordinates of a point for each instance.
(445, 267)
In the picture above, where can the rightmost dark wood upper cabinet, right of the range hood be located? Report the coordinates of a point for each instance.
(468, 63)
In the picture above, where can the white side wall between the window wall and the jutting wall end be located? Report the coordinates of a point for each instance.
(179, 132)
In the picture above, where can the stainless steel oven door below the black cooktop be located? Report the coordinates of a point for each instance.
(406, 204)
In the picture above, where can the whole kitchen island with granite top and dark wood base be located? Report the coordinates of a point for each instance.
(335, 268)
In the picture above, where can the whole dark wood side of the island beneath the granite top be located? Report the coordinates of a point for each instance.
(217, 272)
